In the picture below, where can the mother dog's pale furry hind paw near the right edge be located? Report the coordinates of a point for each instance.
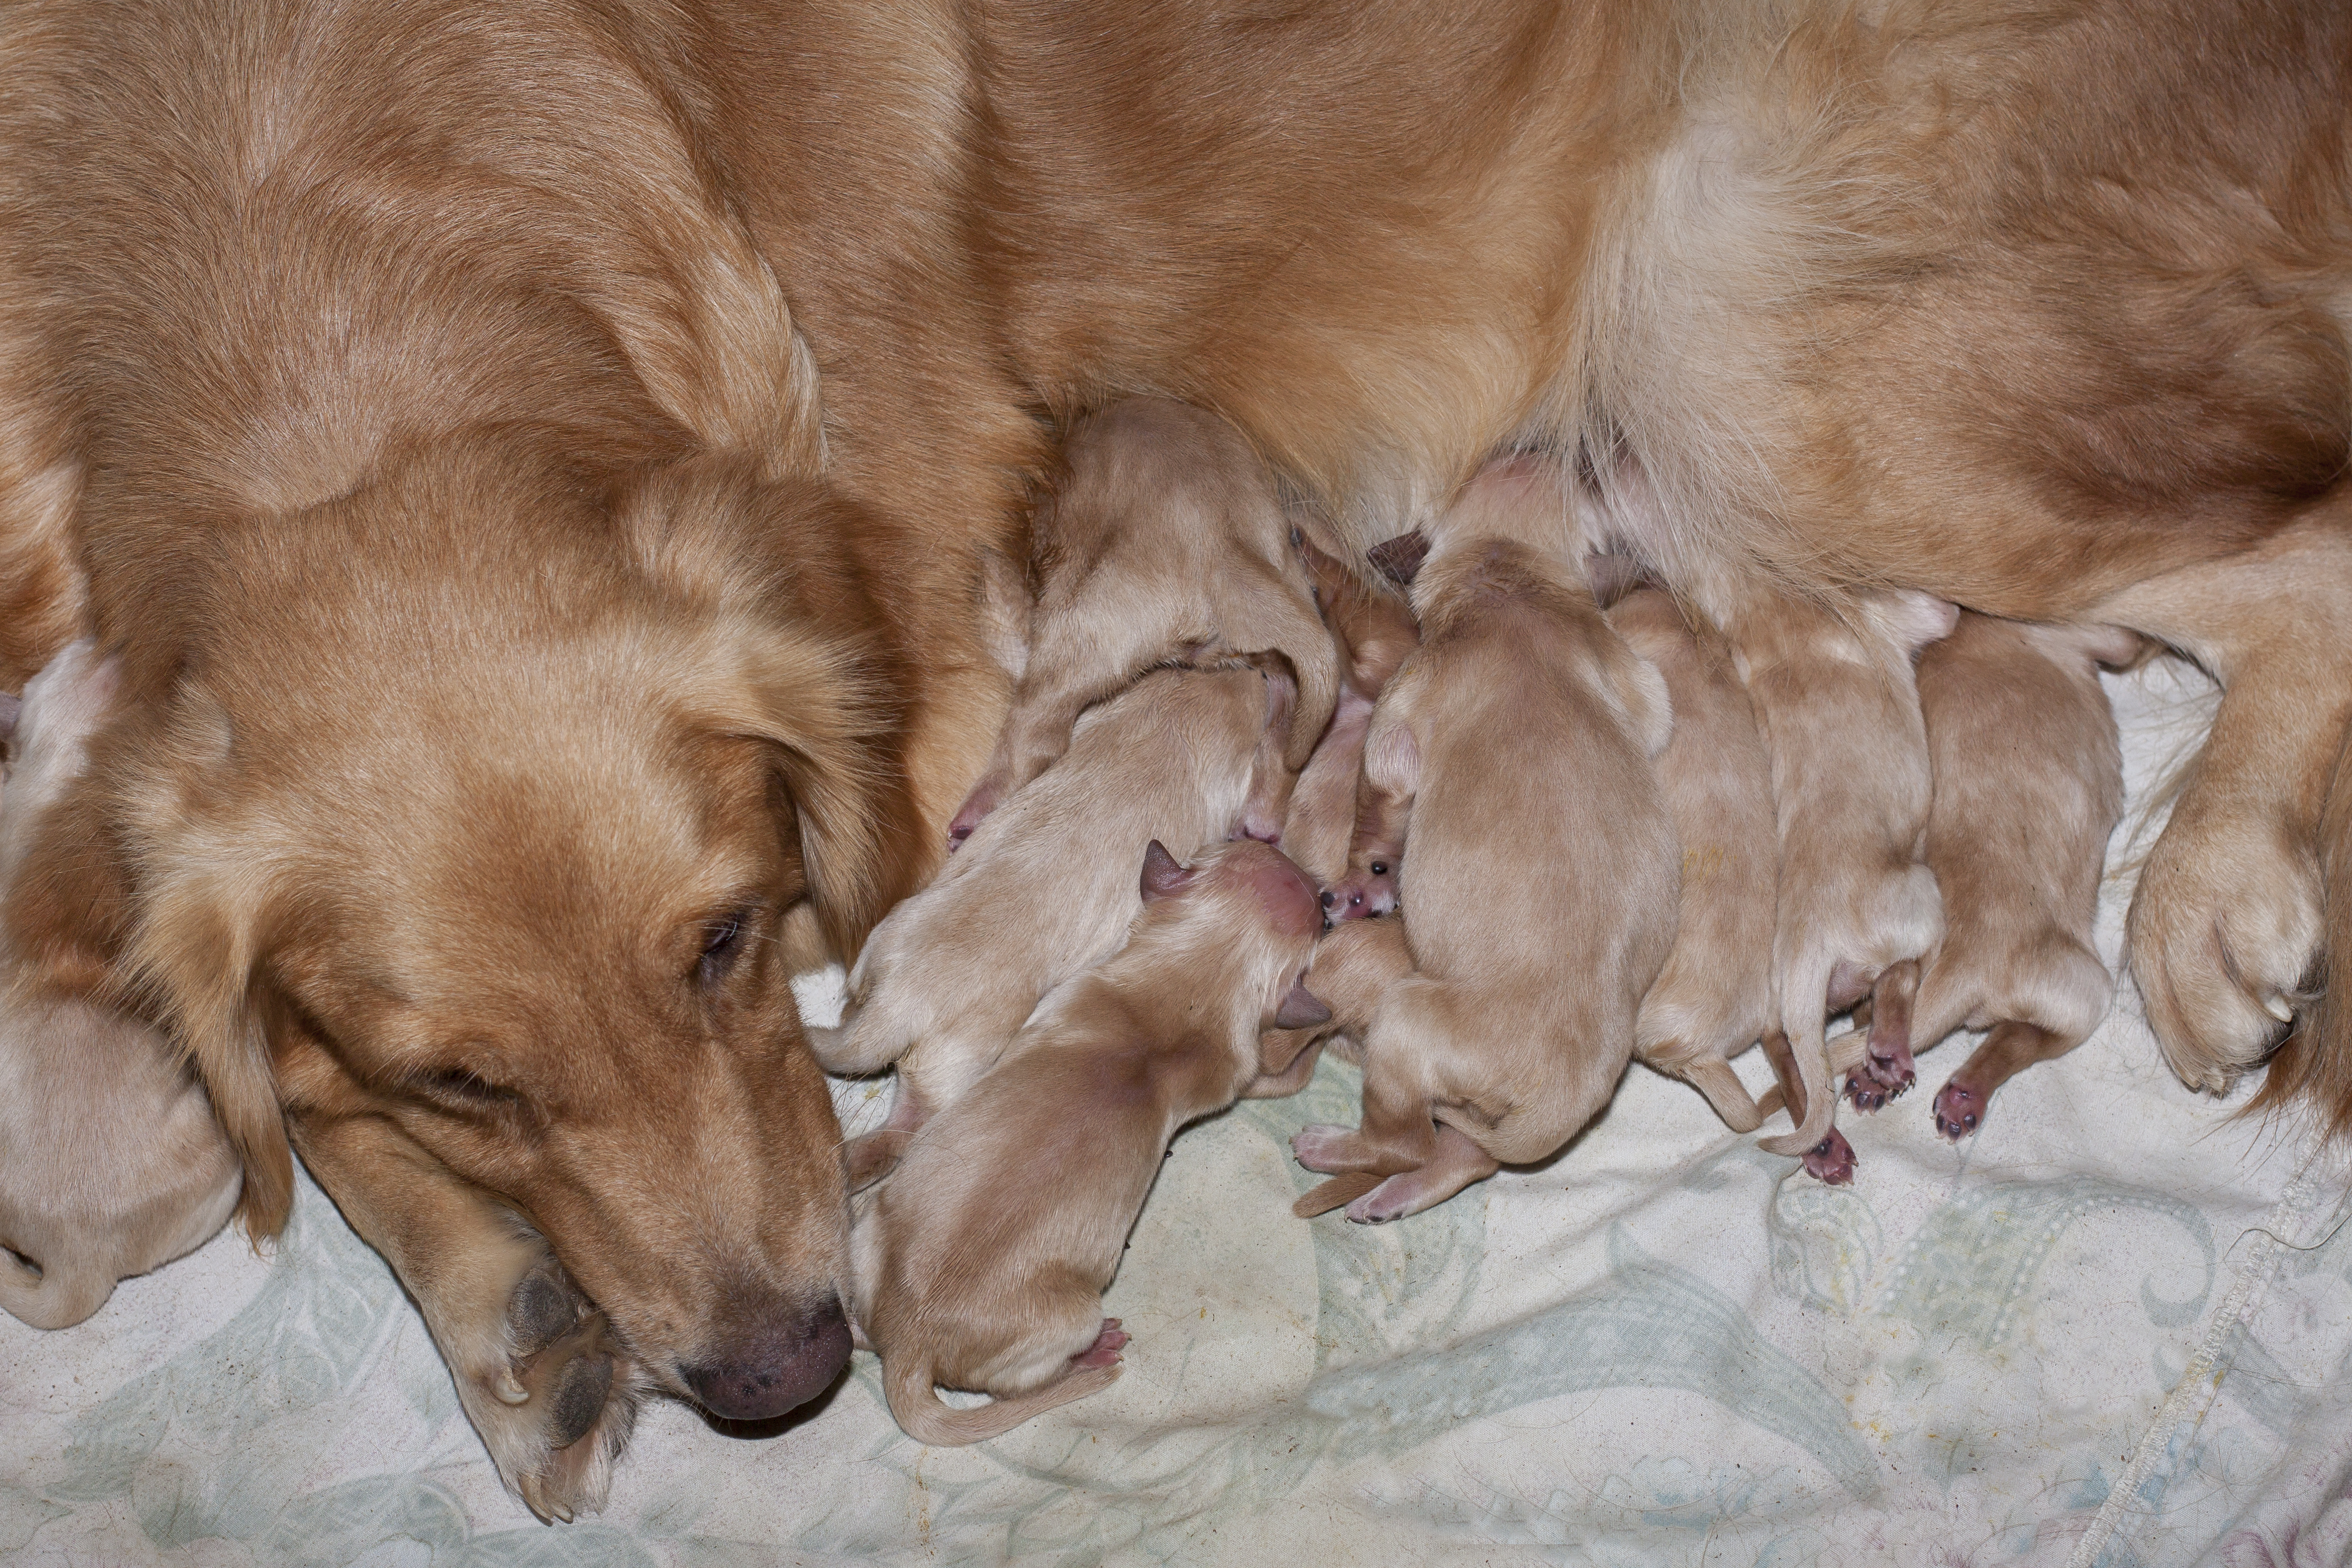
(2224, 934)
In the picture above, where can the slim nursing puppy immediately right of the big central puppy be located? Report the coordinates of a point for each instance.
(1713, 998)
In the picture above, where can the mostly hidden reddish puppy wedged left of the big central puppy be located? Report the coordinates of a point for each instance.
(1375, 634)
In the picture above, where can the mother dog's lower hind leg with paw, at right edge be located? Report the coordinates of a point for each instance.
(2226, 923)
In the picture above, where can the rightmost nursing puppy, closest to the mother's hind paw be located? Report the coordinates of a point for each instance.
(2029, 786)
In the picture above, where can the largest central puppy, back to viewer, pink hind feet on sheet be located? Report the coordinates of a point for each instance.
(1518, 737)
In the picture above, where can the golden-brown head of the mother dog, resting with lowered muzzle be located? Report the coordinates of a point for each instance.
(500, 805)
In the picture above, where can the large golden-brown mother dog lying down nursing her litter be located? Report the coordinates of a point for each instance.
(537, 457)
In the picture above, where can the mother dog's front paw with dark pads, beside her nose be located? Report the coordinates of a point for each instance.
(547, 1386)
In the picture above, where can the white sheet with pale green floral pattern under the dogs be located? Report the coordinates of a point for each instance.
(2111, 1329)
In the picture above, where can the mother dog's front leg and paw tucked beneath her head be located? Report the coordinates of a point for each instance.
(535, 1362)
